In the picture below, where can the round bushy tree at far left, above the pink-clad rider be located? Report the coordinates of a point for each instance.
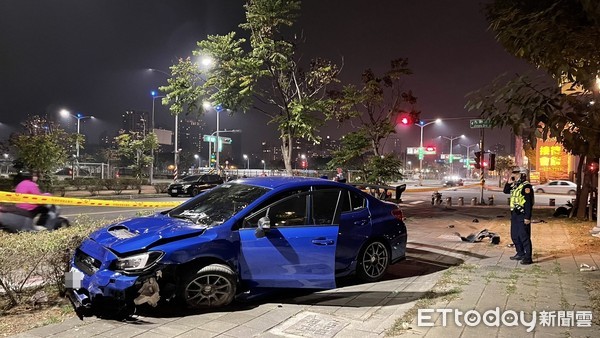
(42, 146)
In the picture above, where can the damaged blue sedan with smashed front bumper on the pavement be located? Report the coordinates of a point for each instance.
(263, 232)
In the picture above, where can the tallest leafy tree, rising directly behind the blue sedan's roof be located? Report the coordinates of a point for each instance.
(267, 78)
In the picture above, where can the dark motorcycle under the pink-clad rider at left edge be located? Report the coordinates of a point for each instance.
(14, 219)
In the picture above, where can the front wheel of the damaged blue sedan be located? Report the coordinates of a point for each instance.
(212, 286)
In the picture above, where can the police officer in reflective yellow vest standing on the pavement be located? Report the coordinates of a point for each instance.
(521, 206)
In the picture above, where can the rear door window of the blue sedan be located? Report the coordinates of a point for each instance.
(327, 205)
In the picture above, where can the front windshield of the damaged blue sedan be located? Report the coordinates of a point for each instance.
(219, 204)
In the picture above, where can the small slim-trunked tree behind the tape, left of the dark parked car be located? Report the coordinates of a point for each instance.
(135, 147)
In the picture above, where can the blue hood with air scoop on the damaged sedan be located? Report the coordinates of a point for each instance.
(141, 233)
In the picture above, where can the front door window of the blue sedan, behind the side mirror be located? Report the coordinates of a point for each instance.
(290, 211)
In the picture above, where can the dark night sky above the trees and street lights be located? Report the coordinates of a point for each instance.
(91, 57)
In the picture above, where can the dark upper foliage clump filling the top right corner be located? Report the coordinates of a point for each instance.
(537, 31)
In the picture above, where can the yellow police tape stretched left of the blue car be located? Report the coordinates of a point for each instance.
(11, 197)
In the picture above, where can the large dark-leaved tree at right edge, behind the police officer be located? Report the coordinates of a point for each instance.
(536, 31)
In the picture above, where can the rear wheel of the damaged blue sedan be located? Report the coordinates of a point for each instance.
(372, 262)
